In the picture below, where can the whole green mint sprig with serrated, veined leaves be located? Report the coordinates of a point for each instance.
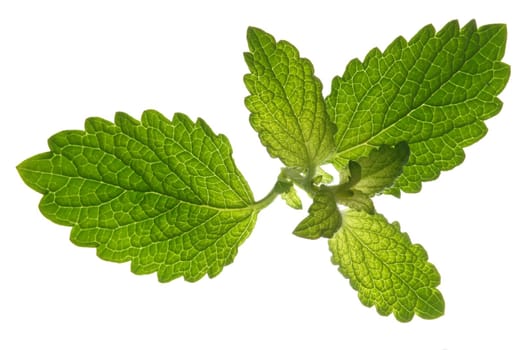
(167, 196)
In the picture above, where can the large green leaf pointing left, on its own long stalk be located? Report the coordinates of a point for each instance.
(164, 195)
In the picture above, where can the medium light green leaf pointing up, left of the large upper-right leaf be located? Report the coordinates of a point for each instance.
(286, 103)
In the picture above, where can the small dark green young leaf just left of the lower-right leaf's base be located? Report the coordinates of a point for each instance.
(324, 217)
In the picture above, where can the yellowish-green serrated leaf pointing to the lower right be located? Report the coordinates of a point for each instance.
(386, 269)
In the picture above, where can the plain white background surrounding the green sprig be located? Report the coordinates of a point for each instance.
(61, 62)
